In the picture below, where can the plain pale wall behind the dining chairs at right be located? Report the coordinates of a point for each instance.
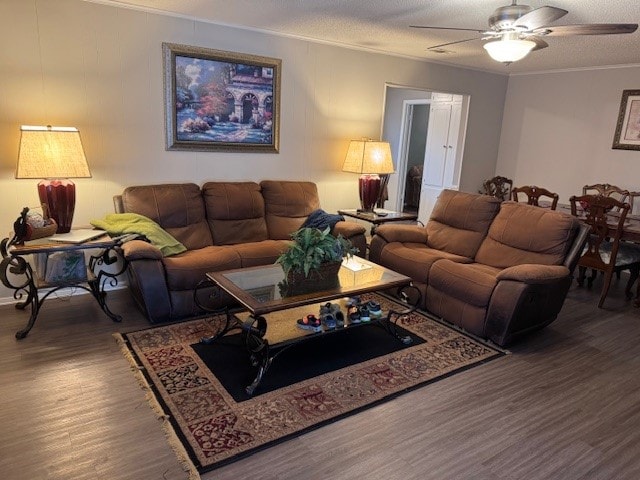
(558, 129)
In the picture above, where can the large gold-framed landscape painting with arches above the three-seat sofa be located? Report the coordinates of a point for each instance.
(221, 101)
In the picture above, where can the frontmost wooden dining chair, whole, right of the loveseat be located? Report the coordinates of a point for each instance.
(604, 251)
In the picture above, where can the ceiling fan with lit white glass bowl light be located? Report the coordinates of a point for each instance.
(515, 30)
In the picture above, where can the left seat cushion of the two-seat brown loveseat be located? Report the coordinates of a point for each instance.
(414, 259)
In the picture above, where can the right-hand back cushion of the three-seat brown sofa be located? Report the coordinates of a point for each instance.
(287, 205)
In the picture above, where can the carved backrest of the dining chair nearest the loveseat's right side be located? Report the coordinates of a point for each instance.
(594, 211)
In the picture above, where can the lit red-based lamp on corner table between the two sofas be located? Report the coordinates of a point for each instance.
(370, 159)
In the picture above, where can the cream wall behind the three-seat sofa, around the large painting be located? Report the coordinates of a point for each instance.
(99, 68)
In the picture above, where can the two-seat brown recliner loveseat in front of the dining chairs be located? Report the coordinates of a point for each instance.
(496, 269)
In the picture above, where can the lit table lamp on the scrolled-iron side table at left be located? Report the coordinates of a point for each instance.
(54, 154)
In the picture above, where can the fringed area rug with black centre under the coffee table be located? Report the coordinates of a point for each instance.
(199, 389)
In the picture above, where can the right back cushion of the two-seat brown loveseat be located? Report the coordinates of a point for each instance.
(524, 233)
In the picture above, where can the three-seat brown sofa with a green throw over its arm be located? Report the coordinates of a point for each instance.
(223, 225)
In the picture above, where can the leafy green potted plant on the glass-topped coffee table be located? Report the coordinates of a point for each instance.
(314, 255)
